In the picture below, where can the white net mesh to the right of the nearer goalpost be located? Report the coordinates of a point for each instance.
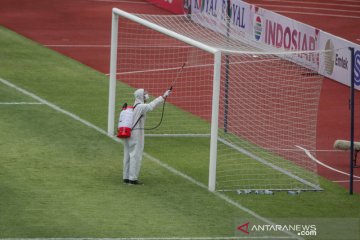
(268, 108)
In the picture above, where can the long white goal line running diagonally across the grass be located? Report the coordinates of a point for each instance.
(151, 158)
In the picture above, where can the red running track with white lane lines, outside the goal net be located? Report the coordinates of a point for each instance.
(80, 29)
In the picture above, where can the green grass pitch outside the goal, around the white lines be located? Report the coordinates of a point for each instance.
(60, 178)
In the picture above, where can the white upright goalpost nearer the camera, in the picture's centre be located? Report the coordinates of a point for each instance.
(214, 121)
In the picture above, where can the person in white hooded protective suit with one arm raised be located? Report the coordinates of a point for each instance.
(134, 145)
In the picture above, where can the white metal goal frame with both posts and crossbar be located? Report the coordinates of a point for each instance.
(216, 78)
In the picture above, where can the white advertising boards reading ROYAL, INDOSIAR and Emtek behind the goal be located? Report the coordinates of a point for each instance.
(266, 29)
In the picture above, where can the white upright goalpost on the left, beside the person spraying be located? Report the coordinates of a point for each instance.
(112, 79)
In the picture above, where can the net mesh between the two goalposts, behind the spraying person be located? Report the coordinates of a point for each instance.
(153, 61)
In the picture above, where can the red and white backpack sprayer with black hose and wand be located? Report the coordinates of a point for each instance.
(126, 120)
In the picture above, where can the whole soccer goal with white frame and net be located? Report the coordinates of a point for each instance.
(256, 107)
